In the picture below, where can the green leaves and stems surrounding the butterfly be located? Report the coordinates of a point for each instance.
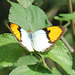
(60, 60)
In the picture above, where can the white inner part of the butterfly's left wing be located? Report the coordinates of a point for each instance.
(26, 41)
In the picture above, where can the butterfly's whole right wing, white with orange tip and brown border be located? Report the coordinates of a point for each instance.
(46, 38)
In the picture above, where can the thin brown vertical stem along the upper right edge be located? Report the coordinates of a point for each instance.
(72, 24)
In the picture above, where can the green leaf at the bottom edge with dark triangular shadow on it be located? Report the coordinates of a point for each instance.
(30, 70)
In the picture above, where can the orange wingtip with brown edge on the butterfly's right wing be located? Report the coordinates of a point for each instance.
(55, 32)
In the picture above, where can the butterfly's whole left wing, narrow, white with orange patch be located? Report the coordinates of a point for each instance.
(21, 35)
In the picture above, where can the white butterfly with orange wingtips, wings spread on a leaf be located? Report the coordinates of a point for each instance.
(41, 40)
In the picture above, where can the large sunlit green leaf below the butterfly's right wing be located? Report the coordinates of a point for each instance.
(60, 54)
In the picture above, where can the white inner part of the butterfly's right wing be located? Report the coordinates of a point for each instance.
(40, 41)
